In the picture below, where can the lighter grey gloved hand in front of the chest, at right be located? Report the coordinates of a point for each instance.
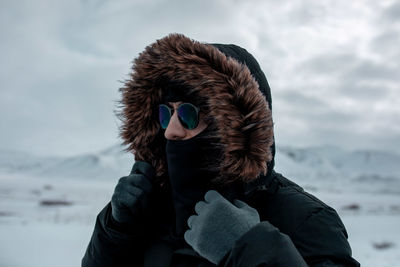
(218, 225)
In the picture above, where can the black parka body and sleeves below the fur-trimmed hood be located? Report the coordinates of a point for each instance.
(296, 229)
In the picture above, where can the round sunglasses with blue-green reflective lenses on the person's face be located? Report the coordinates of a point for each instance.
(188, 115)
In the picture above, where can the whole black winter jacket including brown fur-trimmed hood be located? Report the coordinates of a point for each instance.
(296, 228)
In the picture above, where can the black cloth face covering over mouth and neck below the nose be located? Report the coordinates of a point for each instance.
(190, 173)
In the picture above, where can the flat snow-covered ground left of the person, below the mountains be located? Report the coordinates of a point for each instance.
(34, 233)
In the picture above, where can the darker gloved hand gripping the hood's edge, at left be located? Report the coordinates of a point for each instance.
(130, 198)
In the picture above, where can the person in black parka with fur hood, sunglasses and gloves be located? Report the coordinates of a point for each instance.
(203, 190)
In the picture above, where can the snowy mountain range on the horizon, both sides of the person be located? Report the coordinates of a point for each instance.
(320, 168)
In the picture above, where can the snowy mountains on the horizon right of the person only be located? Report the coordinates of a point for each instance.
(335, 169)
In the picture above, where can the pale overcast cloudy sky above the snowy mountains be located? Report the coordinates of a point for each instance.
(333, 66)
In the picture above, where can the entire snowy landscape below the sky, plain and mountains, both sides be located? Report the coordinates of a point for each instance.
(48, 206)
